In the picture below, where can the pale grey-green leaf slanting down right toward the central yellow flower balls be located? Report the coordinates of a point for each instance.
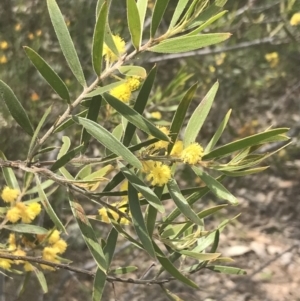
(108, 140)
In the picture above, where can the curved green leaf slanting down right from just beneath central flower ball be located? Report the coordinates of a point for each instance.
(182, 203)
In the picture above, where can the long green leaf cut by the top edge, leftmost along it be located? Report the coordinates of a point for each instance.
(65, 40)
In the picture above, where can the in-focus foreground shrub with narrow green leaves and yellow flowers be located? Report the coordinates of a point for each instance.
(137, 162)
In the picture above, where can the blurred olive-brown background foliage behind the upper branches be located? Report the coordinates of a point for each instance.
(258, 69)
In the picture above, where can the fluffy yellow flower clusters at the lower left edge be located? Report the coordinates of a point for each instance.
(51, 243)
